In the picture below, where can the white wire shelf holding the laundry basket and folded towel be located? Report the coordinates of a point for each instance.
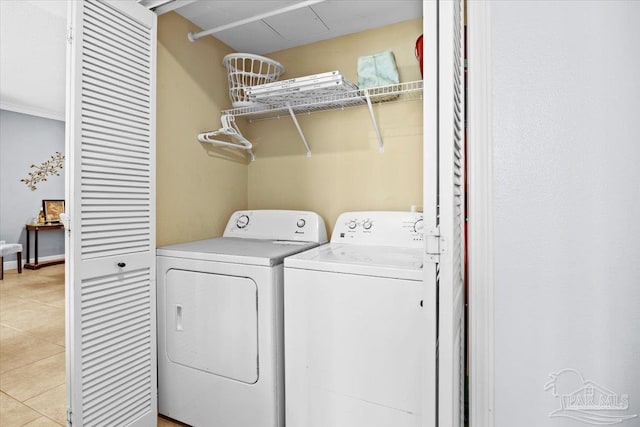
(333, 101)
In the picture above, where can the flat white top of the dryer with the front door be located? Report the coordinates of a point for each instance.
(237, 250)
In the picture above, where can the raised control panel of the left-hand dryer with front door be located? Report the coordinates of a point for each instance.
(287, 225)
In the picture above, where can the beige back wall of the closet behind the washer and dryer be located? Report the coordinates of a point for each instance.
(346, 170)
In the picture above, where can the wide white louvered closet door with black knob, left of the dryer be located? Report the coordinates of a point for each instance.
(111, 149)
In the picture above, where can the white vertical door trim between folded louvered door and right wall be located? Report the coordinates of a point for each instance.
(480, 200)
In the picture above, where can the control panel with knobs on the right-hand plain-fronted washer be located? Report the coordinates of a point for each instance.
(379, 228)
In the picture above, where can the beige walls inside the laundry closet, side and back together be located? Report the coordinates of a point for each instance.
(200, 186)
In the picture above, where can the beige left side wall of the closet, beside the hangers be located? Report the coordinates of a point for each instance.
(198, 187)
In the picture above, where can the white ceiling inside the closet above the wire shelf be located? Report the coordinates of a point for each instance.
(320, 21)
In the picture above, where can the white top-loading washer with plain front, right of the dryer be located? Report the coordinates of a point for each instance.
(353, 326)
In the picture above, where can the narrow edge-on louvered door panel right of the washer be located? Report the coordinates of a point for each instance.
(451, 215)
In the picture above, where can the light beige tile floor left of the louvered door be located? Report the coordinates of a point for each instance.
(32, 357)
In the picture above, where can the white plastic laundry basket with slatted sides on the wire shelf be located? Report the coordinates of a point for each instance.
(246, 69)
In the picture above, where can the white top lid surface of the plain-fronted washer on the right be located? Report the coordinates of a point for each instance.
(381, 261)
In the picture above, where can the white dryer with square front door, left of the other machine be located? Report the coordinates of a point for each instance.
(220, 320)
